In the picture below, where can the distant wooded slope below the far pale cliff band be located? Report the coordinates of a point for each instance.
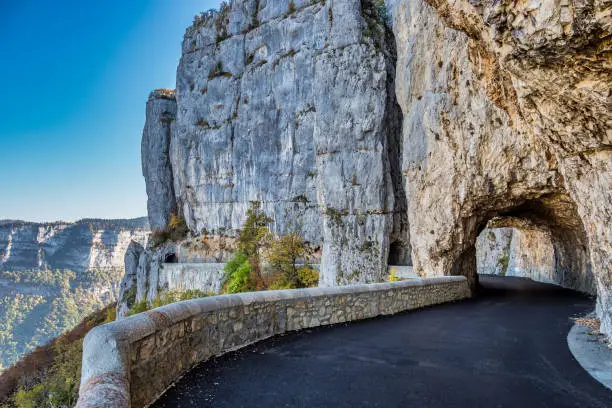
(38, 305)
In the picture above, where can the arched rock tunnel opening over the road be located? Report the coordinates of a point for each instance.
(542, 239)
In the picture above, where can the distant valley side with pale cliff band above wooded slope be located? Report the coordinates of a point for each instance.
(52, 275)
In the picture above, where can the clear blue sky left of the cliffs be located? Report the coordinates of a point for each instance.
(75, 79)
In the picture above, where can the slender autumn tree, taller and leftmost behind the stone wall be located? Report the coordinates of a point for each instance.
(252, 239)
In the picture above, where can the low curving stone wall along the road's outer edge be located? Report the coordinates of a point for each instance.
(131, 362)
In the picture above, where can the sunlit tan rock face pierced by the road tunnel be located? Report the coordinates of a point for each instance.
(506, 112)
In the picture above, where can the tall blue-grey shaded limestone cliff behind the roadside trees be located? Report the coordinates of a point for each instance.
(292, 107)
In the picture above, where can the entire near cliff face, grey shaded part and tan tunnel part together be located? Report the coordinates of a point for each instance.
(503, 114)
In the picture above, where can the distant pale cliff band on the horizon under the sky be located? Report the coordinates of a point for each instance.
(80, 246)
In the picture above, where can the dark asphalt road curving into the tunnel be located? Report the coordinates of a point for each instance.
(506, 348)
